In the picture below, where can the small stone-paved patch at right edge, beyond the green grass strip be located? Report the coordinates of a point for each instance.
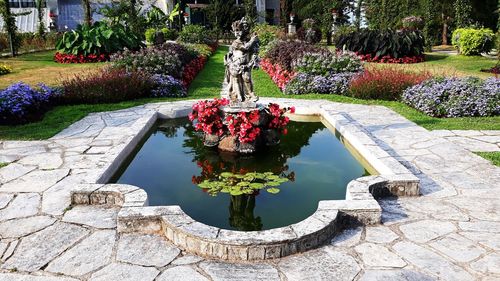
(476, 141)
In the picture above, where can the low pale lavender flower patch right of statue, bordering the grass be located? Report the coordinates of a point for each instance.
(304, 83)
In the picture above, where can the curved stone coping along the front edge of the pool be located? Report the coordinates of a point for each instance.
(213, 242)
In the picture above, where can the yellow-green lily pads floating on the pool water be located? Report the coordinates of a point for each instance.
(239, 184)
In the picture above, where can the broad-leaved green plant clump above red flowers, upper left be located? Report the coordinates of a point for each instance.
(100, 38)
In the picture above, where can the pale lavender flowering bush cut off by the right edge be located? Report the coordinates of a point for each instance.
(455, 97)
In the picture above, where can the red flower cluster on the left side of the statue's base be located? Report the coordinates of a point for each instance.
(209, 116)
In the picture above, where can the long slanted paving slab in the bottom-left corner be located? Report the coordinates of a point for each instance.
(40, 248)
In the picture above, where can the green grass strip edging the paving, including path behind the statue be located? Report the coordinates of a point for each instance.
(208, 85)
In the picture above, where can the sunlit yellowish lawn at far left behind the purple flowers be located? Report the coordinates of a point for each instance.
(40, 67)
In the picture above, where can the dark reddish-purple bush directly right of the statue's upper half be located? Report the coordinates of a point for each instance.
(284, 53)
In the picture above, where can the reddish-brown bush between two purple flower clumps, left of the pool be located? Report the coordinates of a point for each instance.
(106, 86)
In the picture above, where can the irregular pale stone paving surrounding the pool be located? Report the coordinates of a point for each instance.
(451, 232)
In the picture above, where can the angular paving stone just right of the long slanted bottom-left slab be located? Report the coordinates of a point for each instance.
(90, 254)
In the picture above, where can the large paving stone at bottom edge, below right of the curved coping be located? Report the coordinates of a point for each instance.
(323, 264)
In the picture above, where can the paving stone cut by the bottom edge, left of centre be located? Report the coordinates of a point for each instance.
(125, 272)
